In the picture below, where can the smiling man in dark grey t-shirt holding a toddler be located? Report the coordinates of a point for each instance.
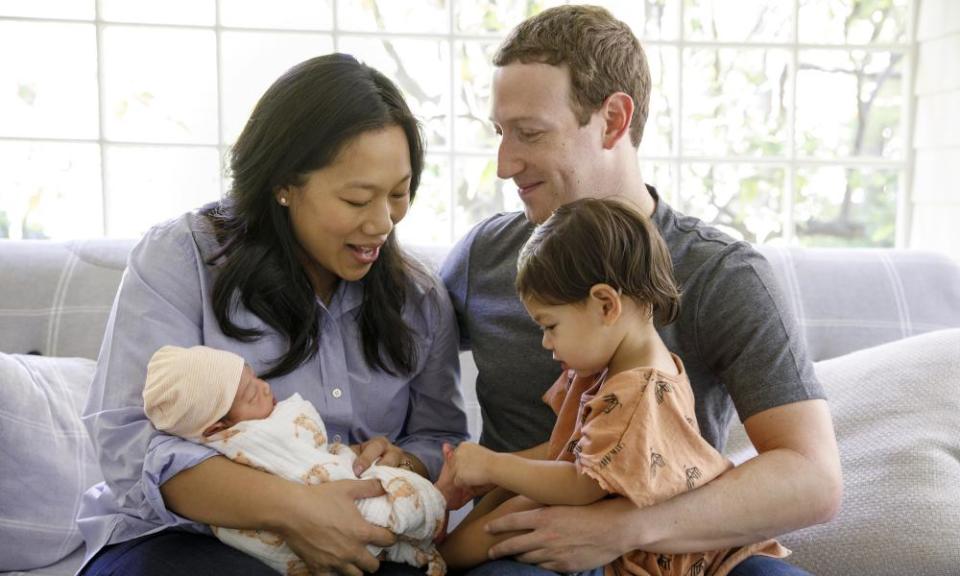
(570, 98)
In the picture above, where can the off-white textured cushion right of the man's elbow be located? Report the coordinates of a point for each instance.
(896, 409)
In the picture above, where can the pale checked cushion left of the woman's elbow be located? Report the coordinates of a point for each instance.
(48, 459)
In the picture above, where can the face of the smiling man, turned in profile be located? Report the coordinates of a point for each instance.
(543, 149)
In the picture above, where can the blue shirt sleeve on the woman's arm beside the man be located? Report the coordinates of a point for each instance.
(436, 411)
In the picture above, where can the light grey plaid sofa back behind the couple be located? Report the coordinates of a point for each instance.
(56, 296)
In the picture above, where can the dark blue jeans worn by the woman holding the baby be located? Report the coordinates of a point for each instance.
(174, 553)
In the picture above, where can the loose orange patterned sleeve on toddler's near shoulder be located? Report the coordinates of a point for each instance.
(640, 439)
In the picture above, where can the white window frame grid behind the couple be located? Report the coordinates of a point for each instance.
(677, 159)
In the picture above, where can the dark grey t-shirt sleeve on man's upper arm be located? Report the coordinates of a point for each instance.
(761, 358)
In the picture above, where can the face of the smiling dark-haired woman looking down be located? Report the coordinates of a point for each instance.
(343, 213)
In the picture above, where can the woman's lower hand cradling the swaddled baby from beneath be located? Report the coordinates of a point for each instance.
(325, 529)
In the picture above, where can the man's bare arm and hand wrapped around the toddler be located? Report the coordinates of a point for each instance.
(794, 482)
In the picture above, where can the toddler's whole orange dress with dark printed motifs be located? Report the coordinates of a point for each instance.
(637, 435)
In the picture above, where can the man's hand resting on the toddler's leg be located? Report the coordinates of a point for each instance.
(553, 537)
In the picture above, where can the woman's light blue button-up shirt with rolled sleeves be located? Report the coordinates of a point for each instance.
(165, 298)
